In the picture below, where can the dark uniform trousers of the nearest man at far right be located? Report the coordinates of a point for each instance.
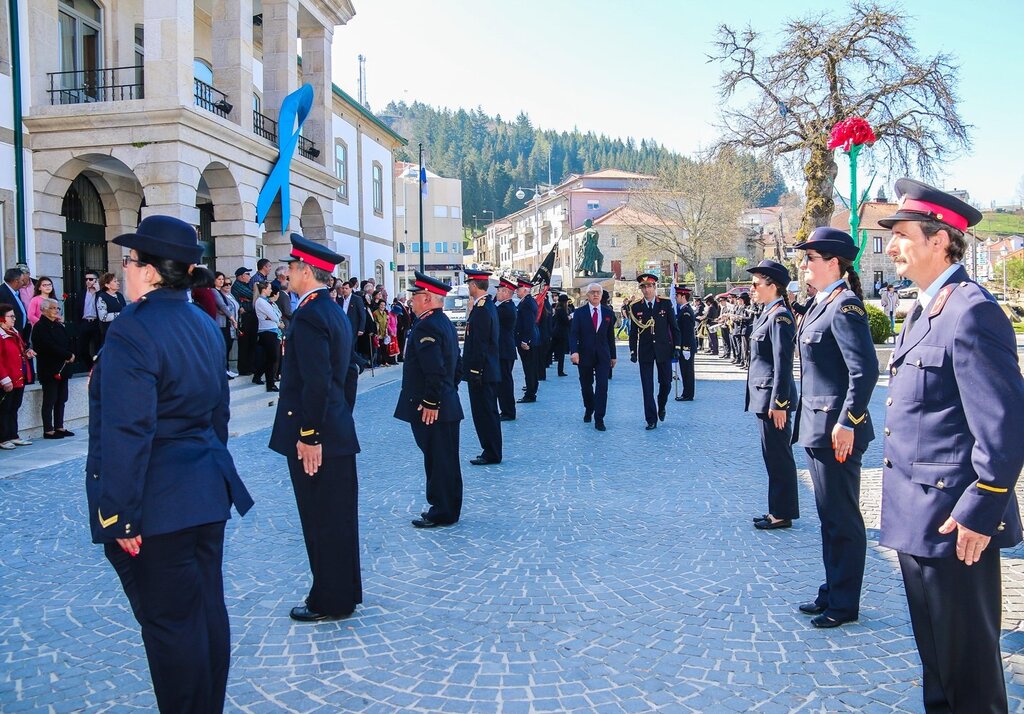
(956, 611)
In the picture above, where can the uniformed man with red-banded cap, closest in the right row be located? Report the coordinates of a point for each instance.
(953, 453)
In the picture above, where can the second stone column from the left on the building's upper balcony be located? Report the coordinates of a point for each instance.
(233, 57)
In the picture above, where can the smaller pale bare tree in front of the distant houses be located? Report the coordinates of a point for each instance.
(692, 211)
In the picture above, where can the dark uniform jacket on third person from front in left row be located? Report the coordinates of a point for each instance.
(433, 370)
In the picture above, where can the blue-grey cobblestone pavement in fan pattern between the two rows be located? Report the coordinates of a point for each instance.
(591, 572)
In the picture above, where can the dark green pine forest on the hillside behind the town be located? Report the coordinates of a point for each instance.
(494, 157)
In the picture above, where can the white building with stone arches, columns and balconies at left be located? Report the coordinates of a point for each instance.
(135, 108)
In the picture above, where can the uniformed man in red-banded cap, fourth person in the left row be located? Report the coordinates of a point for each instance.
(480, 360)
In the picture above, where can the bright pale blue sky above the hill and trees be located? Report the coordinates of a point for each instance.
(639, 68)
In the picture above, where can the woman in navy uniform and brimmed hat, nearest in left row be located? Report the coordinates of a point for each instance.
(160, 480)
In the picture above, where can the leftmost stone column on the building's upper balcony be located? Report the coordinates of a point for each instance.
(170, 41)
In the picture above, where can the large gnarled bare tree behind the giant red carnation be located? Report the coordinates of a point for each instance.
(827, 70)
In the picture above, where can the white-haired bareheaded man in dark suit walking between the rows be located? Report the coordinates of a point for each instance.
(592, 350)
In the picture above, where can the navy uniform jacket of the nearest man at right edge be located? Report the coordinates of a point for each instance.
(955, 428)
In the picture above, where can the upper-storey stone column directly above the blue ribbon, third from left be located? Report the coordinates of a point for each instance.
(281, 49)
